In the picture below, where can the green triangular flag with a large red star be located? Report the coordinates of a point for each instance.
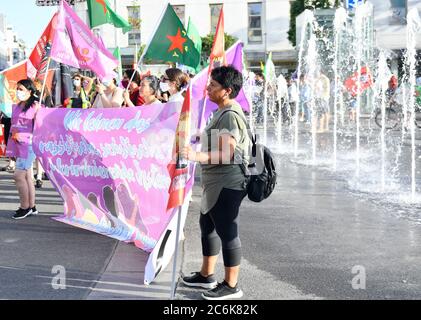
(171, 43)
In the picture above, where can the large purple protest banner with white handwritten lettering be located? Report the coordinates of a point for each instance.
(110, 167)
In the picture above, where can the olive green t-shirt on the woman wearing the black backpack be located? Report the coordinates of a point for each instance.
(216, 176)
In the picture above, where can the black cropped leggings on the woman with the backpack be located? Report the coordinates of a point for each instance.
(222, 220)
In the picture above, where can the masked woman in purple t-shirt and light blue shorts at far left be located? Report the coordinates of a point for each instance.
(20, 146)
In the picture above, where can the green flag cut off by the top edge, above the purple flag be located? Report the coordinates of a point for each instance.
(100, 12)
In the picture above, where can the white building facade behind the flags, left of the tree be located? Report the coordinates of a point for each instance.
(261, 25)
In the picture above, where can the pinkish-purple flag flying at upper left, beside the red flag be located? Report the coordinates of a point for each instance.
(74, 44)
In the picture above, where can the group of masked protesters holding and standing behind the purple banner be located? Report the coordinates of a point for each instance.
(135, 89)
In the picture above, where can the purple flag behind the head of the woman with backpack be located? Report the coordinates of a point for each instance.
(235, 58)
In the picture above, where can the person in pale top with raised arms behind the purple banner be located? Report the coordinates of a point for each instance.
(108, 94)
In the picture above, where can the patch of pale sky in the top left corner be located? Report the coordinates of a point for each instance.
(27, 19)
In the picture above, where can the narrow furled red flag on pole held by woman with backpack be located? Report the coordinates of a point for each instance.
(180, 176)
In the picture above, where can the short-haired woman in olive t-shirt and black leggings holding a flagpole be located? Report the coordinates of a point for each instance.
(224, 185)
